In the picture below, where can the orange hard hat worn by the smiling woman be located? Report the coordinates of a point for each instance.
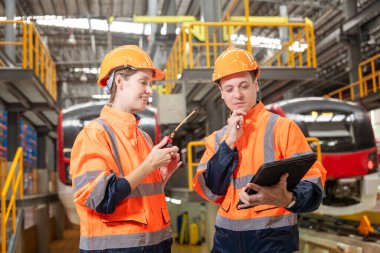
(126, 56)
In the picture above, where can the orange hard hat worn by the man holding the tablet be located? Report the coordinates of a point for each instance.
(234, 60)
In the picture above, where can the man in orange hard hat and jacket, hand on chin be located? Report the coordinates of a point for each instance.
(252, 137)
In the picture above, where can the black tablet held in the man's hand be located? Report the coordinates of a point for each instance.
(270, 173)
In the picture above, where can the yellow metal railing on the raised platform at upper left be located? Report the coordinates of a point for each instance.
(34, 53)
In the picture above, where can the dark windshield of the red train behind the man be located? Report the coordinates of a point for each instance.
(334, 129)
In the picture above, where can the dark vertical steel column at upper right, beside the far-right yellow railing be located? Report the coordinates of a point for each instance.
(353, 41)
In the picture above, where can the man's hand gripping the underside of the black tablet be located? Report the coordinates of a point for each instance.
(276, 195)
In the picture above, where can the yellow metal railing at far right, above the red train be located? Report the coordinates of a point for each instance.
(370, 83)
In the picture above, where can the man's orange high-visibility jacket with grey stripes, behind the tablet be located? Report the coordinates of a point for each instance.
(222, 173)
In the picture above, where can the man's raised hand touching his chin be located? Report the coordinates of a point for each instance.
(235, 127)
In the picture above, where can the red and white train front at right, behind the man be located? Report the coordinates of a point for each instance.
(348, 149)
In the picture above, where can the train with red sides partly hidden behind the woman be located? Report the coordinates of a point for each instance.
(70, 123)
